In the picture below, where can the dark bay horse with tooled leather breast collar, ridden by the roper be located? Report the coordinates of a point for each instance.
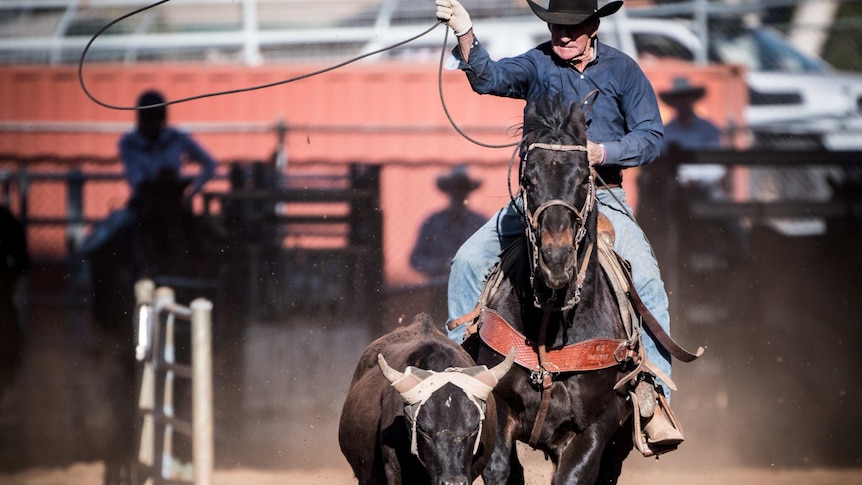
(553, 295)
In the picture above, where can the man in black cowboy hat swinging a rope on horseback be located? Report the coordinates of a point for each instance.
(624, 128)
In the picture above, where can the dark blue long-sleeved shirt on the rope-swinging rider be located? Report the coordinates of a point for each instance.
(624, 117)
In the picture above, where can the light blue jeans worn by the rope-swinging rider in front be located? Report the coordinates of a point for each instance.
(479, 254)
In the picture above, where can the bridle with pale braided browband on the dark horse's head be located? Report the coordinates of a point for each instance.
(531, 218)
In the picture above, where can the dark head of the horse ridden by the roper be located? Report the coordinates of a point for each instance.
(558, 189)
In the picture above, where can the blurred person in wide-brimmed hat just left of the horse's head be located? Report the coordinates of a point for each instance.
(443, 232)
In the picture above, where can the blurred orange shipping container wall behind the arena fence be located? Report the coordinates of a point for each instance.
(383, 113)
